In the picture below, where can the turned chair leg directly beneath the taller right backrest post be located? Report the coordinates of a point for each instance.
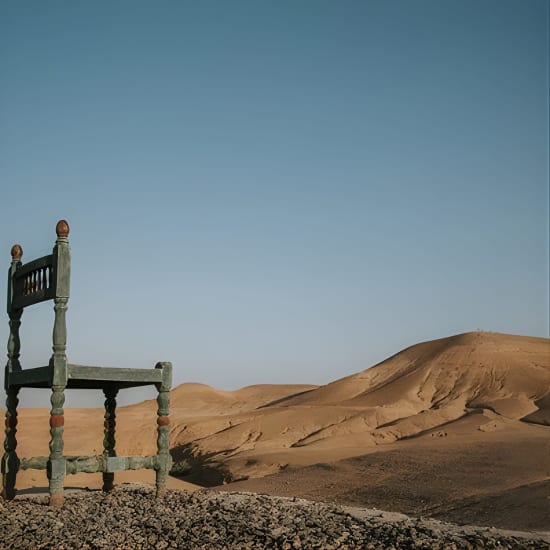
(56, 463)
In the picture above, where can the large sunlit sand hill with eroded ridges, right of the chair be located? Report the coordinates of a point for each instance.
(494, 380)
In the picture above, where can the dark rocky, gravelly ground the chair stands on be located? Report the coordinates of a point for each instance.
(131, 517)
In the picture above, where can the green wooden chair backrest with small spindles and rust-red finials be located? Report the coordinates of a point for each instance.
(46, 278)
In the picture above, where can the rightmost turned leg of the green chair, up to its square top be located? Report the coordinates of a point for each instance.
(164, 460)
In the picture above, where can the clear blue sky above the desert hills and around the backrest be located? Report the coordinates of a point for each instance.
(269, 192)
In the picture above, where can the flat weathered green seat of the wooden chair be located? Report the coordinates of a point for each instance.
(87, 377)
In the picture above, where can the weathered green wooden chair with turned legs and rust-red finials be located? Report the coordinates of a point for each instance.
(48, 278)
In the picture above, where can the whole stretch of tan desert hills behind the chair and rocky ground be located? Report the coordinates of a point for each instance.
(455, 429)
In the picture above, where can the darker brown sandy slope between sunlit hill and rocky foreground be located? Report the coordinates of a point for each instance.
(499, 481)
